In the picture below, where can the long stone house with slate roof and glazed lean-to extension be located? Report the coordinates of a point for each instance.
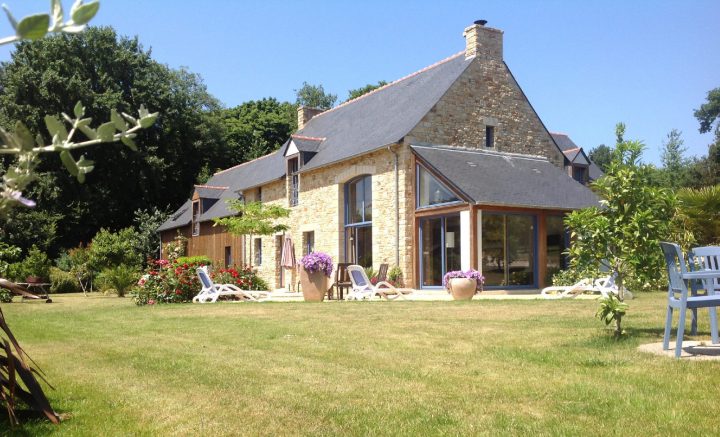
(447, 168)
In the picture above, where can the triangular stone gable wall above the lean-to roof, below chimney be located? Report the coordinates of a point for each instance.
(486, 94)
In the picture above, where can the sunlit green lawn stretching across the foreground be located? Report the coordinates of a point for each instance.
(360, 368)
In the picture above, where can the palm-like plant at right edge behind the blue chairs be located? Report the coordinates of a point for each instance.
(701, 207)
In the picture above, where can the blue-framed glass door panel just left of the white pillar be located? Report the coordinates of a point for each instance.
(439, 248)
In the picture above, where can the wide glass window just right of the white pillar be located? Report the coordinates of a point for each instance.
(508, 250)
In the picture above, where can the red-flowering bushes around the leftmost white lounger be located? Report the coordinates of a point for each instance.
(175, 282)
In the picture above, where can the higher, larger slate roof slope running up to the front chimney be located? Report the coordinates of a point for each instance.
(383, 116)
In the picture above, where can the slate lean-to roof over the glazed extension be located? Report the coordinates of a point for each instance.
(506, 179)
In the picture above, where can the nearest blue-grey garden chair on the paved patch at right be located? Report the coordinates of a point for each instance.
(679, 297)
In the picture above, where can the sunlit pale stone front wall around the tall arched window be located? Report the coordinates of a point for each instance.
(320, 209)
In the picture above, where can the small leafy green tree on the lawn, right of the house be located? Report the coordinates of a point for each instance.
(624, 233)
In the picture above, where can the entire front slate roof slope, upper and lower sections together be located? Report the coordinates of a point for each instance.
(372, 121)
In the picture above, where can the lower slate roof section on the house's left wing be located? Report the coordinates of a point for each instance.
(235, 179)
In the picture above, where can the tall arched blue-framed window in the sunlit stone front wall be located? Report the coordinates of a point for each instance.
(358, 221)
